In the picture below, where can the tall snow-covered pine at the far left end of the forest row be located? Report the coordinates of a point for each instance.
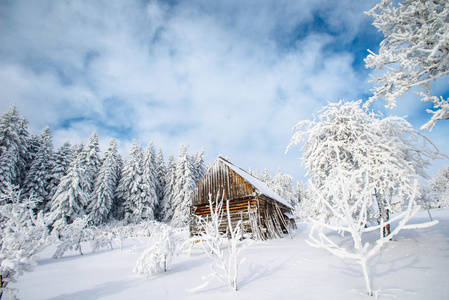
(13, 145)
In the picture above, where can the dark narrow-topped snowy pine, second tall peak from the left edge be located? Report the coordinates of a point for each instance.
(37, 181)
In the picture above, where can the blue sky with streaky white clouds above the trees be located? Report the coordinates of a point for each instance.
(232, 77)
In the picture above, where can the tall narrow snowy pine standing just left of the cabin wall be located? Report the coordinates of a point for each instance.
(184, 185)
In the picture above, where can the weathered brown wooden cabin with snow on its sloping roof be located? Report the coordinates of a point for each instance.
(264, 214)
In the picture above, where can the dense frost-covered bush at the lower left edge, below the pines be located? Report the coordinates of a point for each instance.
(22, 235)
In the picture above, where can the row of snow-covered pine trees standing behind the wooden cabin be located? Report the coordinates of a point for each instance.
(77, 181)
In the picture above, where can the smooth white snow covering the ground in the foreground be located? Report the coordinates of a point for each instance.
(413, 266)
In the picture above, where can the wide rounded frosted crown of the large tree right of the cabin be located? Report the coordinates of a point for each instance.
(387, 149)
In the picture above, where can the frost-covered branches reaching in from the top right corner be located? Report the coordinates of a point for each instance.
(415, 51)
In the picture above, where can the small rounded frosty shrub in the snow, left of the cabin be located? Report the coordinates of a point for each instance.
(162, 248)
